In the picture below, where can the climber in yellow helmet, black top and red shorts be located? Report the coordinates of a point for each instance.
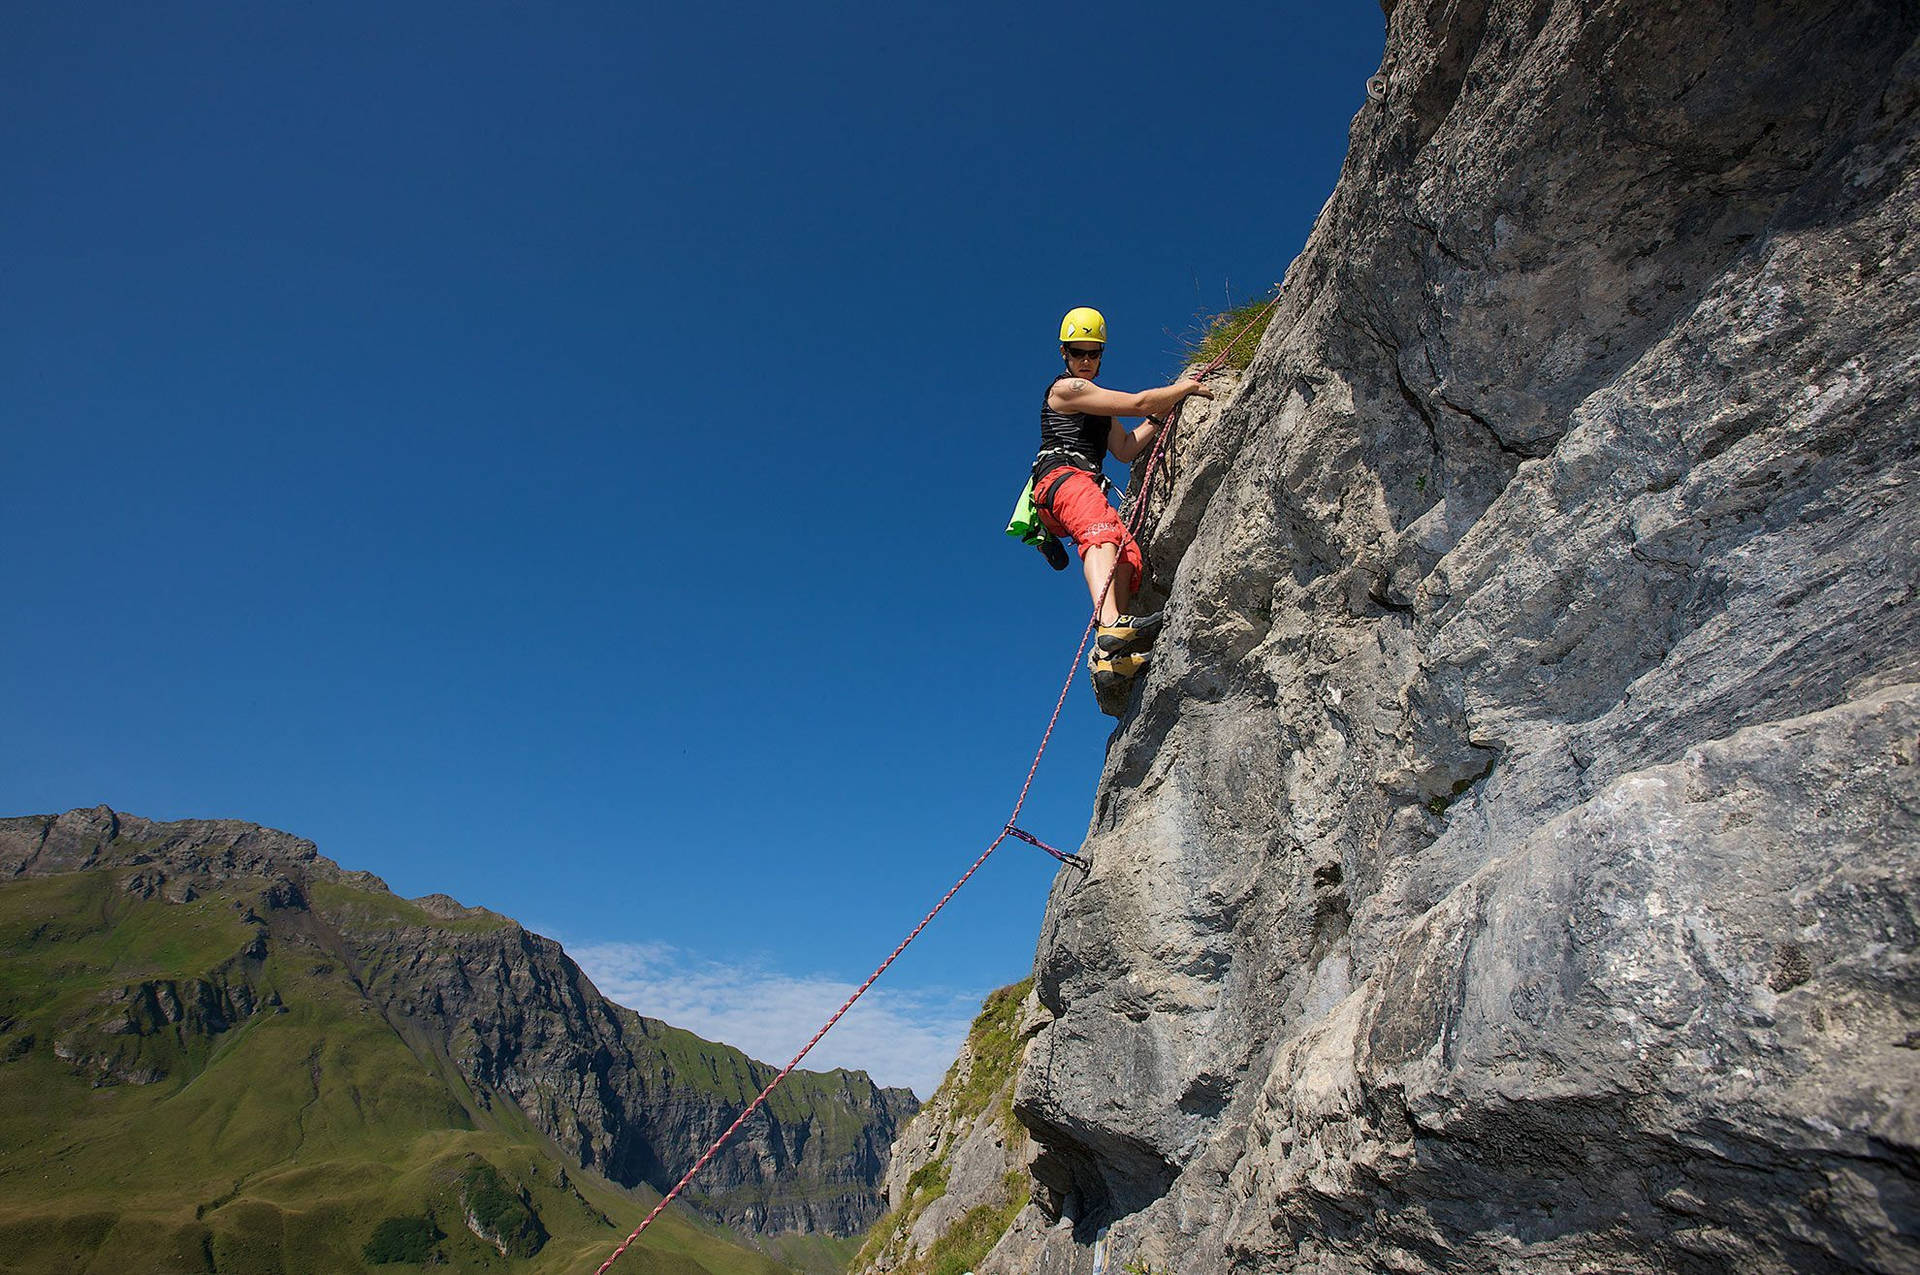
(1080, 429)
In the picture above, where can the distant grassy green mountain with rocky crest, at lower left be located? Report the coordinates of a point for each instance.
(229, 1063)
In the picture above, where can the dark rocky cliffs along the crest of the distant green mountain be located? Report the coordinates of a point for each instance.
(475, 994)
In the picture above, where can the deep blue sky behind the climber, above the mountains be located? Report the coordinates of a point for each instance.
(556, 456)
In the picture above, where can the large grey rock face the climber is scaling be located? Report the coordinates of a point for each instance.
(1510, 861)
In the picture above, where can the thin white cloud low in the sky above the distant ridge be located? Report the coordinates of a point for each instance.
(900, 1038)
